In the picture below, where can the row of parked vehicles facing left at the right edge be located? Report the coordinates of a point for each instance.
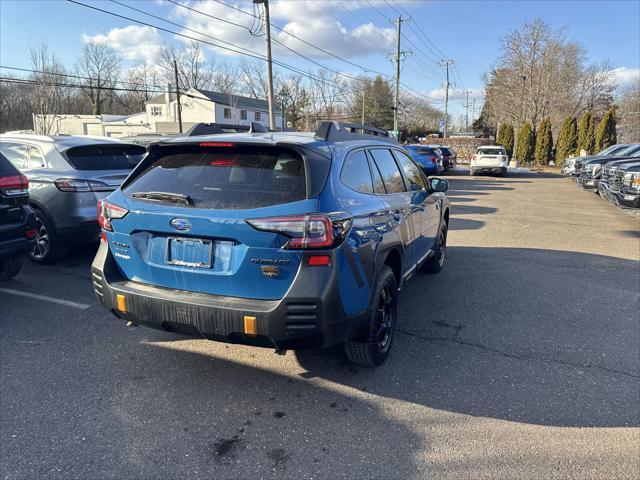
(613, 173)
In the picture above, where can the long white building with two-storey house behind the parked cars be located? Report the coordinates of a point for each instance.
(161, 115)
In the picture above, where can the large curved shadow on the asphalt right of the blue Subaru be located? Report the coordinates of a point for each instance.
(533, 336)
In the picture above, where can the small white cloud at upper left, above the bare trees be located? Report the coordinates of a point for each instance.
(134, 43)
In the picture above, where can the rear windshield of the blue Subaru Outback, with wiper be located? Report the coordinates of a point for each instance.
(230, 178)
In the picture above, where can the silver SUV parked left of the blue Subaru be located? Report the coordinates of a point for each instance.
(67, 176)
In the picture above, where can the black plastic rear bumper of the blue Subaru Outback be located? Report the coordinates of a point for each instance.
(309, 316)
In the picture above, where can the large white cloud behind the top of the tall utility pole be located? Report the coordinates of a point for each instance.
(309, 21)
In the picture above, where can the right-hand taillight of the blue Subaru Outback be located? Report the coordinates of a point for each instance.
(305, 231)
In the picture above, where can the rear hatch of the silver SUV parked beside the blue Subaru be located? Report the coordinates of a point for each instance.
(104, 166)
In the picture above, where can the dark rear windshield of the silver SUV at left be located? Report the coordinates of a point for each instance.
(105, 157)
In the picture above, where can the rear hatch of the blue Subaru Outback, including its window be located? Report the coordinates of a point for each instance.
(185, 228)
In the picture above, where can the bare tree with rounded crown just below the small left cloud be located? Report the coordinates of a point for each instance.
(100, 67)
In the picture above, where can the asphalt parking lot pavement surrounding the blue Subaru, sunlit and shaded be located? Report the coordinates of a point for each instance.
(520, 360)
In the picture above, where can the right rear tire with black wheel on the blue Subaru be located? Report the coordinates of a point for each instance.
(373, 347)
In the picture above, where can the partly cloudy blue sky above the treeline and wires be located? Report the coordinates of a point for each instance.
(469, 32)
